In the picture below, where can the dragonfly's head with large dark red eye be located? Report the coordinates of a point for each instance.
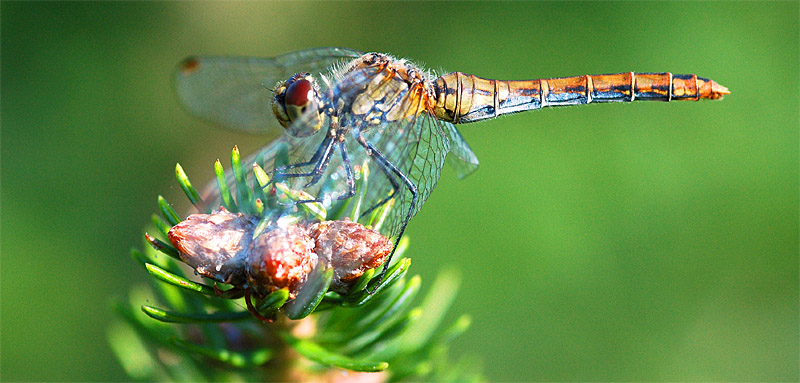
(296, 105)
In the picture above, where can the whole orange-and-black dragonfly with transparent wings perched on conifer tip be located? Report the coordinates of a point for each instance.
(342, 110)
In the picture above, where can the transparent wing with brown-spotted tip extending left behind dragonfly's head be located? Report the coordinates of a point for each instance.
(236, 92)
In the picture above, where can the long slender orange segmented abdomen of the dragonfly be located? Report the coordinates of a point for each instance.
(462, 98)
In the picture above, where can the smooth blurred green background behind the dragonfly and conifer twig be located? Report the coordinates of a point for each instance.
(630, 242)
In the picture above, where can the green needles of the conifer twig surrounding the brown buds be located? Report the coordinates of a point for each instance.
(356, 330)
